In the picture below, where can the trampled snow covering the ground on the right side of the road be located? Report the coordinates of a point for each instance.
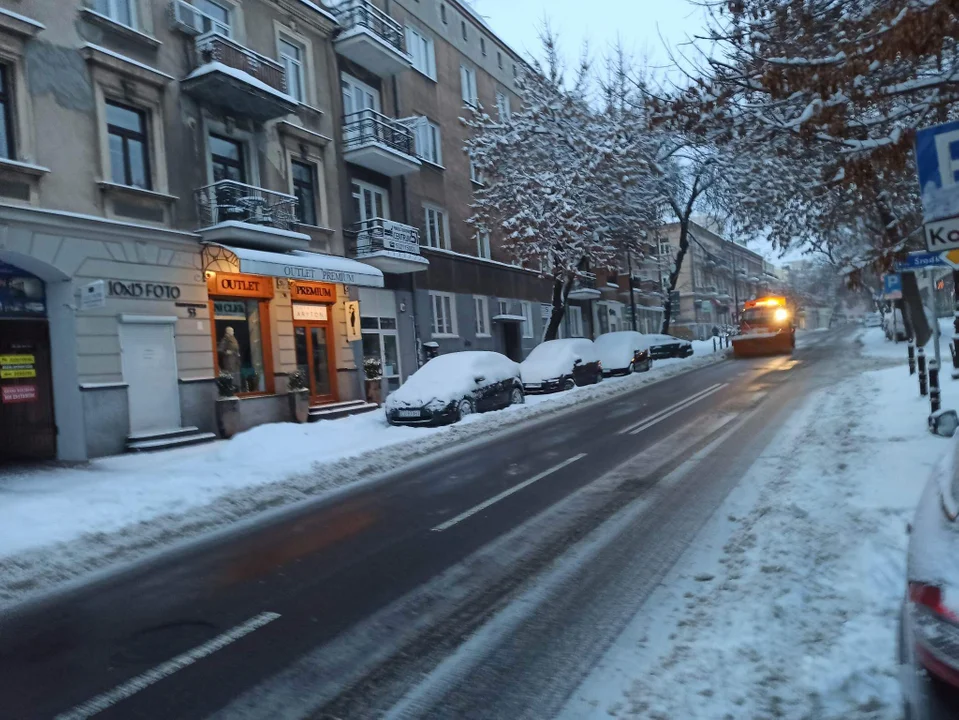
(796, 615)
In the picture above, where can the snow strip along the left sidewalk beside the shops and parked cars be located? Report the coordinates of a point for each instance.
(59, 523)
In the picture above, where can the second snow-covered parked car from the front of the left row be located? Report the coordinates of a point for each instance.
(561, 365)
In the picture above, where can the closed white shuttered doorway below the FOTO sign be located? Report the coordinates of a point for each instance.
(148, 353)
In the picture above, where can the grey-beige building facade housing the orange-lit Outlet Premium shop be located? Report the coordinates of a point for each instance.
(169, 212)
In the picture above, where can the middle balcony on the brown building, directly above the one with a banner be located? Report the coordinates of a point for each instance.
(379, 143)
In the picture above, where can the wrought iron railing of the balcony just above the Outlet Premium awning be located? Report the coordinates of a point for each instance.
(228, 200)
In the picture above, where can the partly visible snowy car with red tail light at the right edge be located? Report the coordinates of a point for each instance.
(929, 620)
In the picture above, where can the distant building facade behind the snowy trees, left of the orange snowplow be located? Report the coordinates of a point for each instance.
(716, 278)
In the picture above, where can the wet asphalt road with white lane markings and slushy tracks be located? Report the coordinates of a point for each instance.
(415, 596)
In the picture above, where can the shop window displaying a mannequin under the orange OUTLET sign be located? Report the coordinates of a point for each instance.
(239, 343)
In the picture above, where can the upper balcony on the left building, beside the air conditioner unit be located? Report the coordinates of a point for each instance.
(237, 80)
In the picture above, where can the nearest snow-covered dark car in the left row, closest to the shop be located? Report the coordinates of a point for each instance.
(450, 387)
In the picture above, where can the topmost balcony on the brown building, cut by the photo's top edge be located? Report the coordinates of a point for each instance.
(371, 38)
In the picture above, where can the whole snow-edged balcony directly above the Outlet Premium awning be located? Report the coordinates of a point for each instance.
(234, 213)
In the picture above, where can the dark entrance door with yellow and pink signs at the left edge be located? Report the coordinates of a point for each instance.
(27, 428)
